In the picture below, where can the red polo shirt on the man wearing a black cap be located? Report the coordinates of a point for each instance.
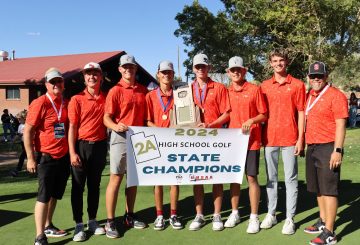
(320, 121)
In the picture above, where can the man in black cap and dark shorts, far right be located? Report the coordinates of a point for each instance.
(326, 114)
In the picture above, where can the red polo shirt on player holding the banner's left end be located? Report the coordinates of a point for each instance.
(127, 103)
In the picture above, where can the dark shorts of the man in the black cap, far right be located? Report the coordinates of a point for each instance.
(319, 177)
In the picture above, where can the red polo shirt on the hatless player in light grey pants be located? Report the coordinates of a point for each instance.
(283, 101)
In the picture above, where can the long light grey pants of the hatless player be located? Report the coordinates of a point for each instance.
(291, 178)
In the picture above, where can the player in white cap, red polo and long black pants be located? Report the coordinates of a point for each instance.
(88, 149)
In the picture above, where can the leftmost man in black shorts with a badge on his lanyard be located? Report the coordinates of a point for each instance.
(46, 126)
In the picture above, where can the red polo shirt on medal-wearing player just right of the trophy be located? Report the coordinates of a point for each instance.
(216, 101)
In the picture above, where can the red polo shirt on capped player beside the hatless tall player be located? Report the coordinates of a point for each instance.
(246, 103)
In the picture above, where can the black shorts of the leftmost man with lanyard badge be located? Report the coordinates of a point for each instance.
(52, 175)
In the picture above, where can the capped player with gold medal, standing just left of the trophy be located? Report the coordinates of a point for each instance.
(160, 103)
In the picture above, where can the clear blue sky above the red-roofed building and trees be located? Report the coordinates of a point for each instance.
(143, 28)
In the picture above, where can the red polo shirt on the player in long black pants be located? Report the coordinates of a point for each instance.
(87, 112)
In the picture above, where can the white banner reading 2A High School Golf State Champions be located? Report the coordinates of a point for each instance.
(185, 156)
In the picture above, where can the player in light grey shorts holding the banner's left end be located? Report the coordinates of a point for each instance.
(125, 106)
